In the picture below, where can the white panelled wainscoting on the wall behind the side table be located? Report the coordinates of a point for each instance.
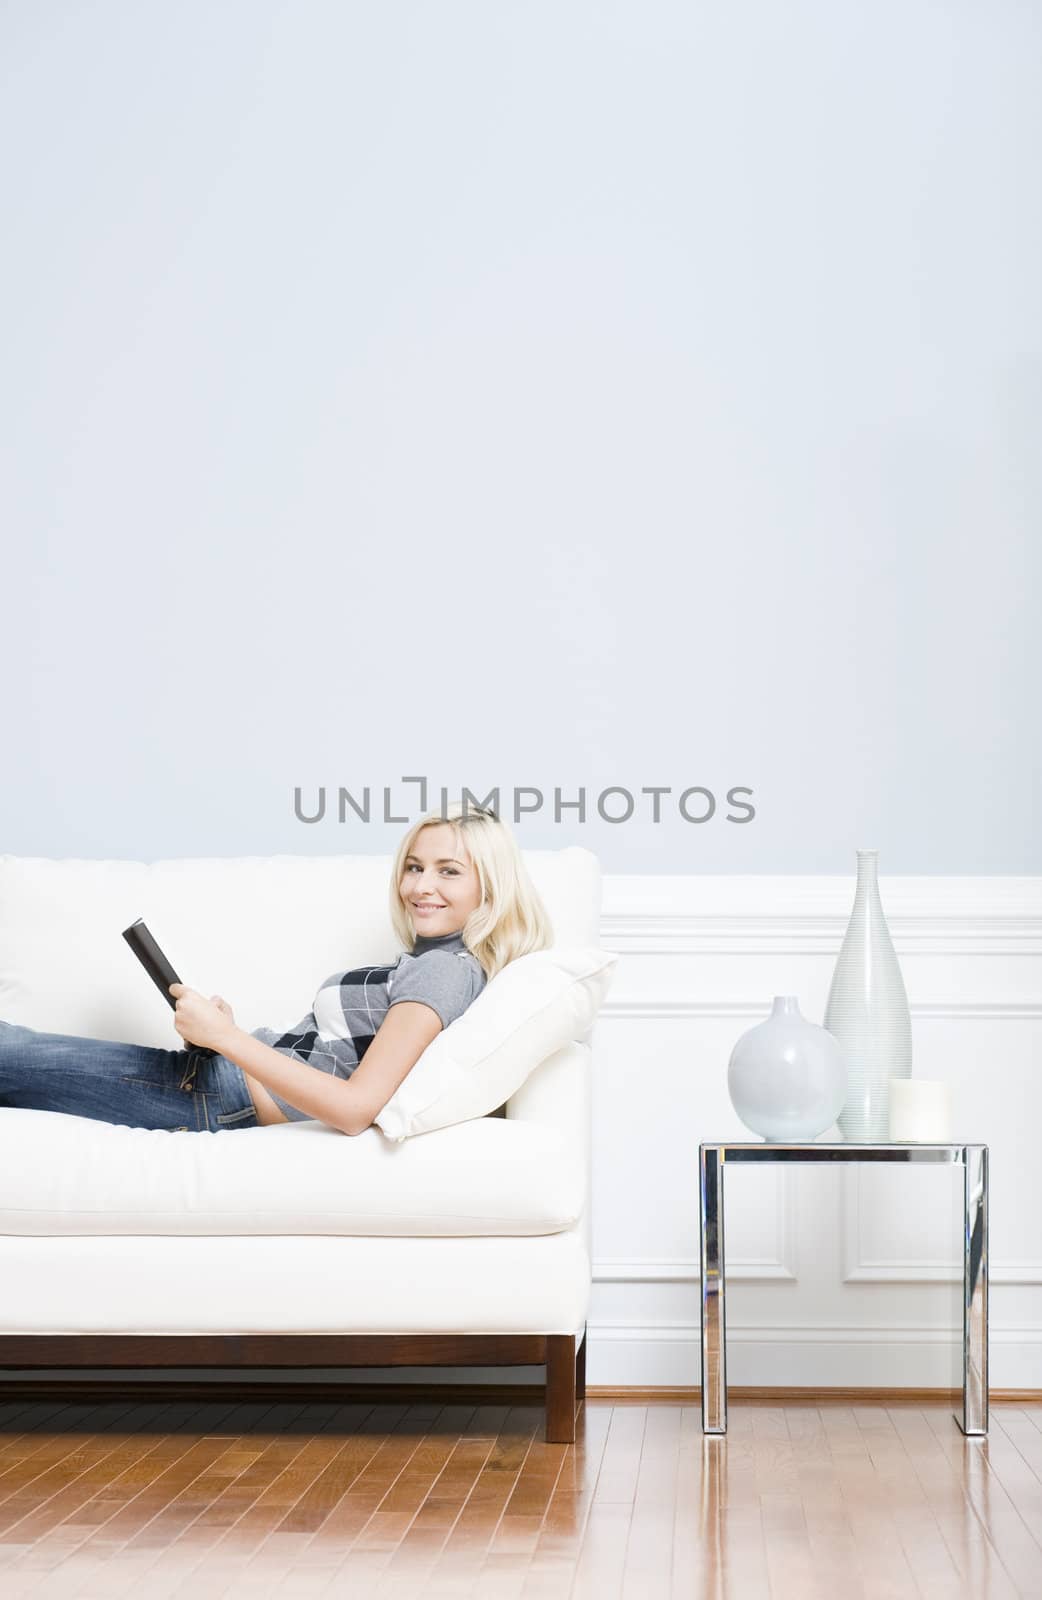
(836, 1276)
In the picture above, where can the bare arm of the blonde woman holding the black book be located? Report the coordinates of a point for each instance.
(348, 1105)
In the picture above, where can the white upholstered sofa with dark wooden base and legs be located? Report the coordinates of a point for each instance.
(289, 1247)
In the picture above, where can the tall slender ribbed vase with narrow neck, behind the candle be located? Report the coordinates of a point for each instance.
(868, 1012)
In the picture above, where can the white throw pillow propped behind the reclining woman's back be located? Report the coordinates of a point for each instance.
(527, 1012)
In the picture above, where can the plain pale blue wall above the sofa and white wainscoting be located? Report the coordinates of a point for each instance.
(532, 394)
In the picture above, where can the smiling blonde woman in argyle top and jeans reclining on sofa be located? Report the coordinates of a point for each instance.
(463, 906)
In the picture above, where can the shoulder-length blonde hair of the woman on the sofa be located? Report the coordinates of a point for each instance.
(511, 919)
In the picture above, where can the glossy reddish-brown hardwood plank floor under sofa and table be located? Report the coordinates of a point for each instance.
(286, 1498)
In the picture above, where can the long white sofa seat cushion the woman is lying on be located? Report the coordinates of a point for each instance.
(491, 1177)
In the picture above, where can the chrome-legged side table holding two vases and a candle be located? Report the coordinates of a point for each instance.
(974, 1162)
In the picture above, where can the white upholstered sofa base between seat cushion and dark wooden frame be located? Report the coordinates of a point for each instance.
(295, 1286)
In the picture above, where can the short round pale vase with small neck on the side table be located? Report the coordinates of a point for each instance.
(787, 1076)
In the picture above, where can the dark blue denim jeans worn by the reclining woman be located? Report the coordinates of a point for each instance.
(138, 1086)
